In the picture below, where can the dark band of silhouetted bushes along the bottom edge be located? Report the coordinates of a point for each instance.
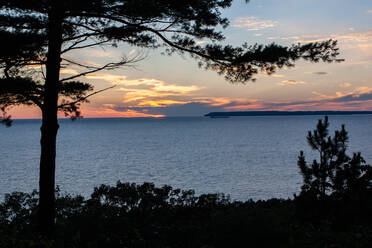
(130, 215)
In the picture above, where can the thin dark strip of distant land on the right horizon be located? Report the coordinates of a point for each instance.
(283, 113)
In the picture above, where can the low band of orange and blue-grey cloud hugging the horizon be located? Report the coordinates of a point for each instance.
(358, 99)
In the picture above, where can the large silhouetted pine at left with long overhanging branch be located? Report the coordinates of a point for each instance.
(39, 33)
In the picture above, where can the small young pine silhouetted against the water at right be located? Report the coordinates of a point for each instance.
(335, 173)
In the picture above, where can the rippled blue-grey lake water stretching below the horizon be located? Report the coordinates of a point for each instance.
(246, 157)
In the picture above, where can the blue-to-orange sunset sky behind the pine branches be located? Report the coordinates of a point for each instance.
(161, 86)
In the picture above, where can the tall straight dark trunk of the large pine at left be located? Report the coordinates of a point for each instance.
(50, 126)
